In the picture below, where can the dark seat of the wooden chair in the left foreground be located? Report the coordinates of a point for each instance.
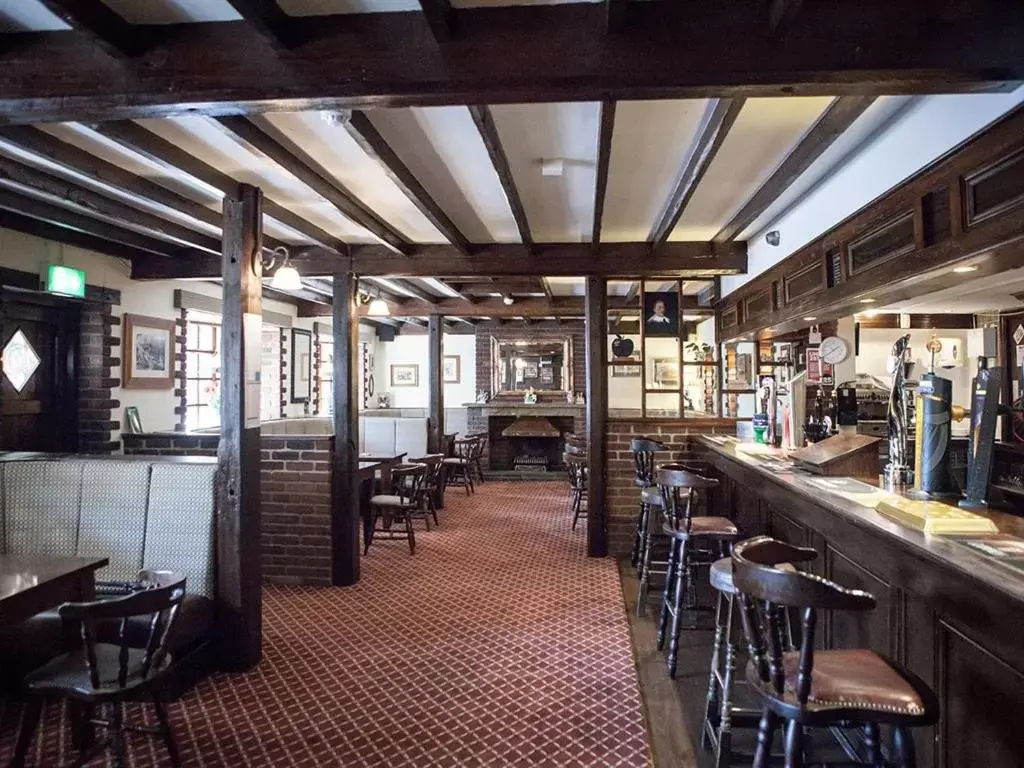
(69, 674)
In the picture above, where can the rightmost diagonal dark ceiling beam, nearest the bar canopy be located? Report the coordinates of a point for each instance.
(837, 118)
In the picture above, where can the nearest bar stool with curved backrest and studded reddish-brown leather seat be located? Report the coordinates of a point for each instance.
(820, 689)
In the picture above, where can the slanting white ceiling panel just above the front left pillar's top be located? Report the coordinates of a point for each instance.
(203, 139)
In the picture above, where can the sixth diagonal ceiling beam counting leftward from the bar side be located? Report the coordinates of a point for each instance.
(251, 136)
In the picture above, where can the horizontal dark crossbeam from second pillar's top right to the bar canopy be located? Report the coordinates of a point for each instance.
(684, 260)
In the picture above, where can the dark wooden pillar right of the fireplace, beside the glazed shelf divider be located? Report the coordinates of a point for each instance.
(598, 414)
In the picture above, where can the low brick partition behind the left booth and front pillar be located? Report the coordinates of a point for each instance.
(295, 481)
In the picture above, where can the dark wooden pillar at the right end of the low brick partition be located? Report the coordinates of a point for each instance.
(346, 476)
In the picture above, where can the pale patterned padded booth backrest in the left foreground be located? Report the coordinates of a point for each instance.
(137, 514)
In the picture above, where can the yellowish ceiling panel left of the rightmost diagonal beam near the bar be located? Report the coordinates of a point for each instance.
(763, 136)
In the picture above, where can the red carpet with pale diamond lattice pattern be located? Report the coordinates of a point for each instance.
(499, 644)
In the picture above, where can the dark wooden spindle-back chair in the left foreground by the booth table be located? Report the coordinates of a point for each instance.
(107, 674)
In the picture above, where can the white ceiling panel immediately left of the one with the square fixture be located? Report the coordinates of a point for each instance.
(444, 150)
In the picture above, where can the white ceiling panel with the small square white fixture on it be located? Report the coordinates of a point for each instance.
(560, 209)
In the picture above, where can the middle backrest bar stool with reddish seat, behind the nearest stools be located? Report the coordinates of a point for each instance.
(679, 488)
